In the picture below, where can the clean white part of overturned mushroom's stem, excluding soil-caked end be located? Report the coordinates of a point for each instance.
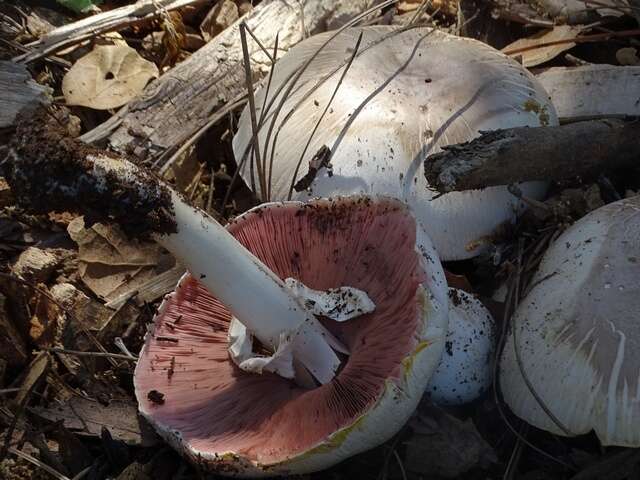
(236, 276)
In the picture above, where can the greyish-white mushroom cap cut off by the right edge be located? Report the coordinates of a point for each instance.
(577, 332)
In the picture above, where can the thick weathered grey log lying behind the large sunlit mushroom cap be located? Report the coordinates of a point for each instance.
(182, 100)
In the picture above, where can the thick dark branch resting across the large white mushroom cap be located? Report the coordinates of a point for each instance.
(503, 157)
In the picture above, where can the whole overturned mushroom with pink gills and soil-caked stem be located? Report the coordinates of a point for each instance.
(204, 399)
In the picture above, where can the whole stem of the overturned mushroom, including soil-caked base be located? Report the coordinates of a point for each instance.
(104, 186)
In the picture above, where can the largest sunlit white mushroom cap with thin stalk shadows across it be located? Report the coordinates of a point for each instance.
(349, 115)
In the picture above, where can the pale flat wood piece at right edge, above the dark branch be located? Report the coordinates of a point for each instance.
(593, 91)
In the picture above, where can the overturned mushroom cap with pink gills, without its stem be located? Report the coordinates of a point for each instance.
(242, 424)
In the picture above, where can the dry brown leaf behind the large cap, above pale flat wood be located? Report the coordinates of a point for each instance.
(537, 55)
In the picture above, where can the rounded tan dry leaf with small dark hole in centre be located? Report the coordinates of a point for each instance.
(108, 77)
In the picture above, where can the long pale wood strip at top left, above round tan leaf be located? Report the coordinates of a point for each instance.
(112, 20)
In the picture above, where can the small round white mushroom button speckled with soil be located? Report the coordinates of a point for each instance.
(464, 372)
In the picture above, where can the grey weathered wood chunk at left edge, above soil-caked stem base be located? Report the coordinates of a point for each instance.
(19, 90)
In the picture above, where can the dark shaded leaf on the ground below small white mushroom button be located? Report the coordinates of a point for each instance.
(442, 445)
